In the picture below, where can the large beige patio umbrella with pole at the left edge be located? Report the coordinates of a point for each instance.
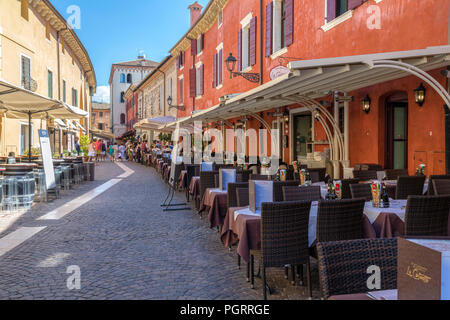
(19, 103)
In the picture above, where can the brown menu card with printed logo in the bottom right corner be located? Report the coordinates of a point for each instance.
(423, 269)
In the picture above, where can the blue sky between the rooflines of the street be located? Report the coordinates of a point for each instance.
(118, 30)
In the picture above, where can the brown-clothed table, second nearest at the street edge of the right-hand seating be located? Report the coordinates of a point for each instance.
(215, 201)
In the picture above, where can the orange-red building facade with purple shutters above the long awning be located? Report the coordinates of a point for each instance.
(266, 36)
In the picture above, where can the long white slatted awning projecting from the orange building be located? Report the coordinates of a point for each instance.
(312, 79)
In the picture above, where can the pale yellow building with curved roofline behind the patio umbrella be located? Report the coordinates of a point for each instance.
(41, 53)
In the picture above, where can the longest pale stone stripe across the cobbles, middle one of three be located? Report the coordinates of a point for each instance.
(78, 202)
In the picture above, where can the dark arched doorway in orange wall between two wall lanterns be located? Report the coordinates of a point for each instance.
(397, 132)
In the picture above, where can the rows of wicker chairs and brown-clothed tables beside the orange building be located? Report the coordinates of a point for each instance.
(301, 226)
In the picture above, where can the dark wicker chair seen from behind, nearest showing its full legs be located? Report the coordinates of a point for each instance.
(284, 239)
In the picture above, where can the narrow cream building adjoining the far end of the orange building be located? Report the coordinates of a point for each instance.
(154, 91)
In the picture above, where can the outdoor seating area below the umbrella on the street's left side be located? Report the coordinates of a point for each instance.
(23, 182)
